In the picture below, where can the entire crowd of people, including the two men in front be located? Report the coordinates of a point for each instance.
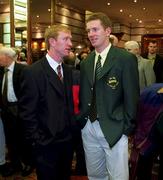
(90, 106)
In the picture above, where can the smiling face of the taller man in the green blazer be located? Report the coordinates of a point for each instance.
(98, 35)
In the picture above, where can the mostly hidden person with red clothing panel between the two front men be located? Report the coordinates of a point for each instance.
(78, 151)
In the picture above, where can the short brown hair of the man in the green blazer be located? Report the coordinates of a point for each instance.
(104, 19)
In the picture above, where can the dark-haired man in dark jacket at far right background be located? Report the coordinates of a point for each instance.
(156, 60)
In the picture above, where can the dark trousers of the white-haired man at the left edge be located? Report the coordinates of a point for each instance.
(18, 150)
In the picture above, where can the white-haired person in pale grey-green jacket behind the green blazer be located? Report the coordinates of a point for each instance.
(146, 73)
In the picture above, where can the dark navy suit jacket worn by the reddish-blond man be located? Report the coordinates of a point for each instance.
(46, 104)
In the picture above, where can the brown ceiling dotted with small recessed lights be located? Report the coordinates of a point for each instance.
(144, 12)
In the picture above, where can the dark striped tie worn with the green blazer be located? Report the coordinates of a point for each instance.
(93, 108)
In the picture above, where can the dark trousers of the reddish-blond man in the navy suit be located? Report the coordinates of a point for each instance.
(53, 161)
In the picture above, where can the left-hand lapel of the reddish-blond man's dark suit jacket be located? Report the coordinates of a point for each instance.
(53, 77)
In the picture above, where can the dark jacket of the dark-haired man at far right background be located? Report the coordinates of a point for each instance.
(157, 67)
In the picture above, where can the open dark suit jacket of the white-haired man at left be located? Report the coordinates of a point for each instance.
(16, 79)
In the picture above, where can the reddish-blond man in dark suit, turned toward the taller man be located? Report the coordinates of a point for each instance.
(46, 107)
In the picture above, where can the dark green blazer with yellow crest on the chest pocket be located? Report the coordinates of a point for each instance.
(117, 93)
